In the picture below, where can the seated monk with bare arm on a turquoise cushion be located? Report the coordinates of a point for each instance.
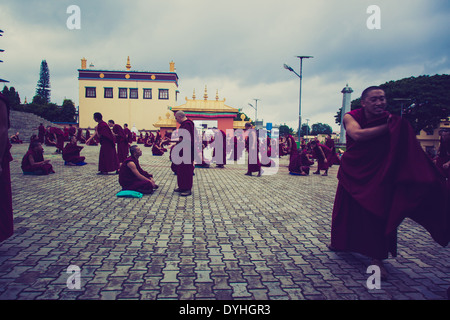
(133, 177)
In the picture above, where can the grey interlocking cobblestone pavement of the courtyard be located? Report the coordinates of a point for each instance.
(236, 237)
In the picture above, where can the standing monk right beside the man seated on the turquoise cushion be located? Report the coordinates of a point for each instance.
(185, 169)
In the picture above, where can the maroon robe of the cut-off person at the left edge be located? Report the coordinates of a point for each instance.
(6, 210)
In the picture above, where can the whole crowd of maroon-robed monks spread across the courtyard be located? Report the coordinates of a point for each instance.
(384, 175)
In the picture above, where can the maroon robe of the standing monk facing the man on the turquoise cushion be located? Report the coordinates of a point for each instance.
(185, 171)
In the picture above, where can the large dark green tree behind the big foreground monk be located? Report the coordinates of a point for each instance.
(423, 100)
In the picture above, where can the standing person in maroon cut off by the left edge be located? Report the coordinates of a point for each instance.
(6, 209)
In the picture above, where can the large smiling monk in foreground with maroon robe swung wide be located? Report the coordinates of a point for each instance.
(384, 177)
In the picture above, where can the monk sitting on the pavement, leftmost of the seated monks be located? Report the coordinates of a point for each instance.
(33, 161)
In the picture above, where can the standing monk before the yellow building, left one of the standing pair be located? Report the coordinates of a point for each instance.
(107, 160)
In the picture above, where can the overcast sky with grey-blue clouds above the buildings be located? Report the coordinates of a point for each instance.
(235, 47)
